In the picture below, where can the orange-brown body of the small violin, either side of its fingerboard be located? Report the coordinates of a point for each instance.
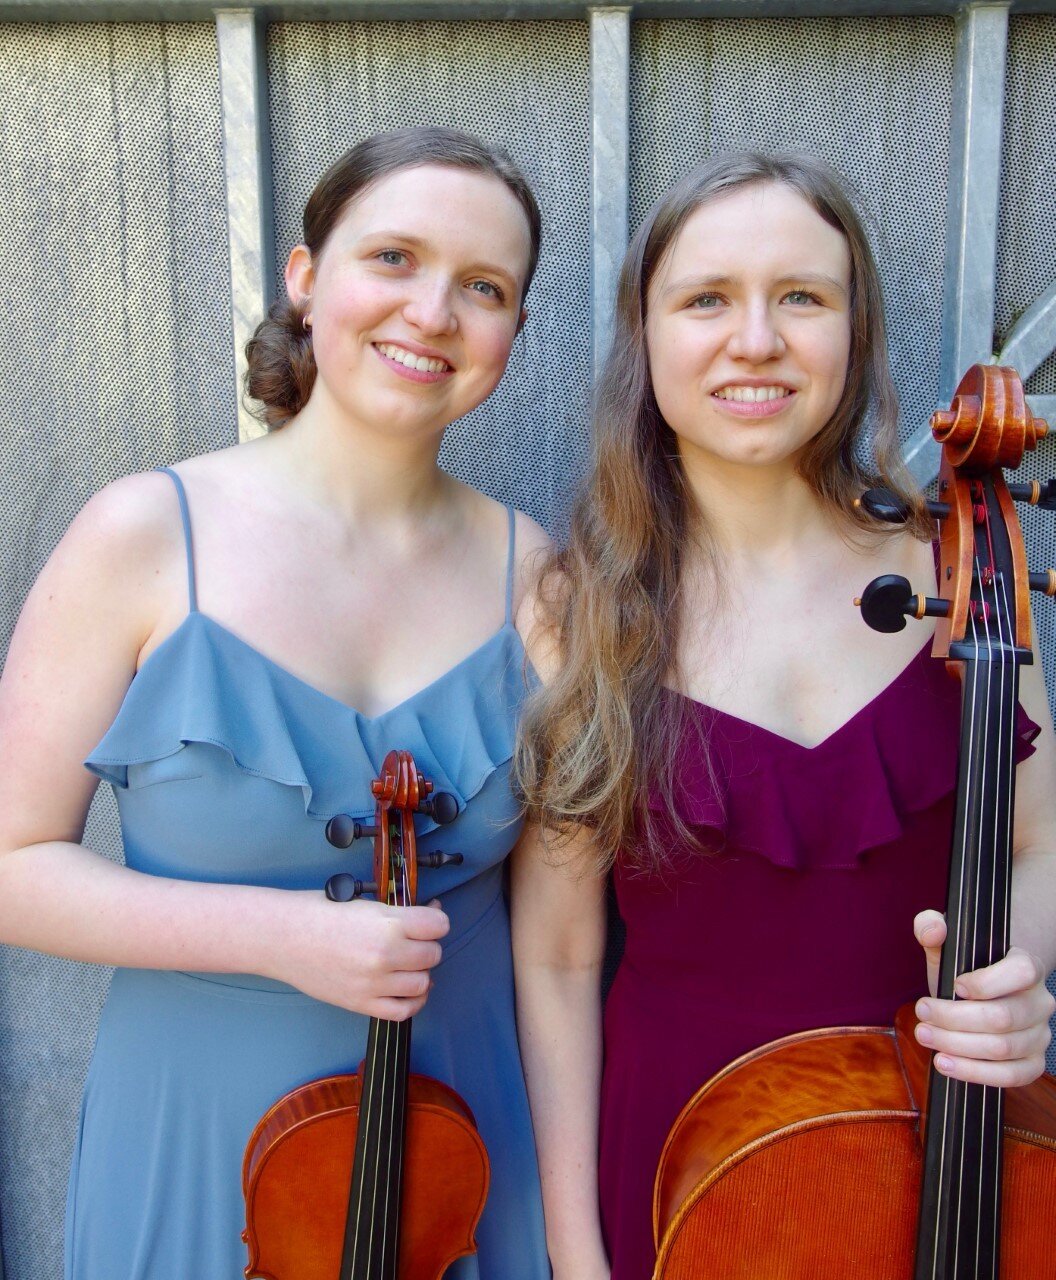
(299, 1169)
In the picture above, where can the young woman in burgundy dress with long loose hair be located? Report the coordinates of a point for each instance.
(770, 781)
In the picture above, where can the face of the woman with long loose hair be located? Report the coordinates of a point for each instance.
(748, 328)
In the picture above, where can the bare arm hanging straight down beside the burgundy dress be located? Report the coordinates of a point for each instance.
(559, 916)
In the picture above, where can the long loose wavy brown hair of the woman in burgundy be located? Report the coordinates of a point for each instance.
(601, 737)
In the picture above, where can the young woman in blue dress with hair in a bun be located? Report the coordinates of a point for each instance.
(236, 647)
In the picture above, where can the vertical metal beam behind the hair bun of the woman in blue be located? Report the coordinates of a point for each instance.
(244, 89)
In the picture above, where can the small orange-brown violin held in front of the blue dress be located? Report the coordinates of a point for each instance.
(382, 1174)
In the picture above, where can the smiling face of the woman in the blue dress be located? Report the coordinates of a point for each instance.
(415, 299)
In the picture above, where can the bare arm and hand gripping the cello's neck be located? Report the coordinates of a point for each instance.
(998, 1031)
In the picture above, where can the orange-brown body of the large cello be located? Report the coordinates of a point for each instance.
(803, 1162)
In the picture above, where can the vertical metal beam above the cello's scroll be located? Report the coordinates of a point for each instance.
(972, 208)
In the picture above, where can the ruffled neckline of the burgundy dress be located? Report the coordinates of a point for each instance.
(824, 807)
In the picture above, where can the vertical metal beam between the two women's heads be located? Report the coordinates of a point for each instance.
(610, 112)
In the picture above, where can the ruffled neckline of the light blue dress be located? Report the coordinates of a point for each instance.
(205, 684)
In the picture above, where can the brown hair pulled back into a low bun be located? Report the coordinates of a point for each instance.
(281, 371)
